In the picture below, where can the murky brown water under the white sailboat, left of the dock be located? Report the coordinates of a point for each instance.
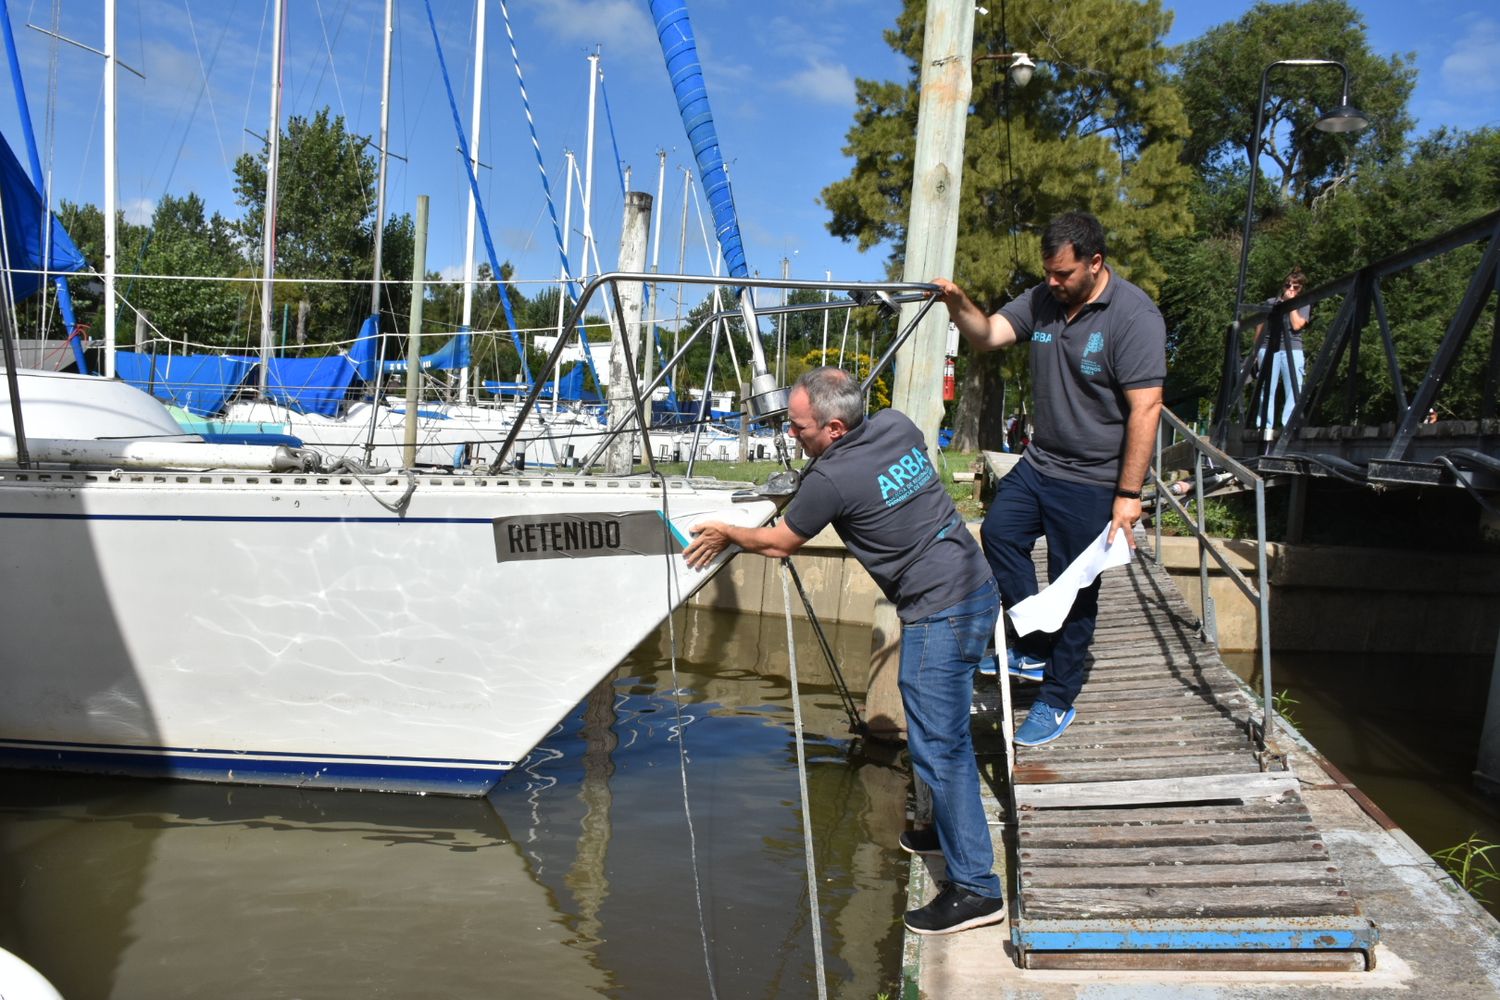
(580, 876)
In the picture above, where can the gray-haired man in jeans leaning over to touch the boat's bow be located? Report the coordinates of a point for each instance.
(874, 482)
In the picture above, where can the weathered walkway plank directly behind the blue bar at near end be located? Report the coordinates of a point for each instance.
(1150, 903)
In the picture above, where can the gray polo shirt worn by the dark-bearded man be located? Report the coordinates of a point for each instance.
(1081, 373)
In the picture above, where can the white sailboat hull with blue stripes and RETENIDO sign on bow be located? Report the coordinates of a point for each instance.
(382, 632)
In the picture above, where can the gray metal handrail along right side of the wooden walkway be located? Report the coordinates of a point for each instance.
(1211, 470)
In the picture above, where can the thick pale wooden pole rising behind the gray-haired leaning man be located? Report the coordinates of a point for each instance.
(932, 238)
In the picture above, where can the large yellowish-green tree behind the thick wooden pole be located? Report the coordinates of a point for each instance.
(1100, 128)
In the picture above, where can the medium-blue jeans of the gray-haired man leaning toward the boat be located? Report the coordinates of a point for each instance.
(940, 656)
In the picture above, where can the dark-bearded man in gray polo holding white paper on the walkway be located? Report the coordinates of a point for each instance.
(1097, 362)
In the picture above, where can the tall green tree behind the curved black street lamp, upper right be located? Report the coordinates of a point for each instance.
(1220, 82)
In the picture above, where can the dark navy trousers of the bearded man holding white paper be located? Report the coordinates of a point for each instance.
(1072, 516)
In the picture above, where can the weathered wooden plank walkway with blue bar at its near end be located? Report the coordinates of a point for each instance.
(1156, 833)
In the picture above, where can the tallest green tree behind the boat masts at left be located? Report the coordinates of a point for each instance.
(325, 227)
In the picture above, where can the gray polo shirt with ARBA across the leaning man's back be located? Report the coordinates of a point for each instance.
(883, 496)
